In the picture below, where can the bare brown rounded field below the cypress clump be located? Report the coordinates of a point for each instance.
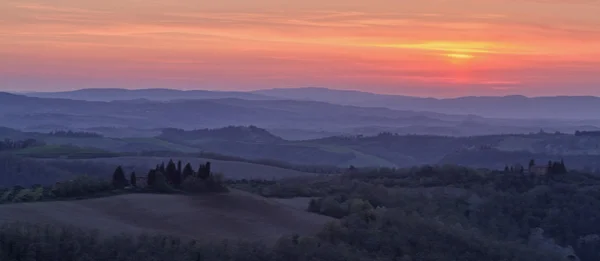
(234, 215)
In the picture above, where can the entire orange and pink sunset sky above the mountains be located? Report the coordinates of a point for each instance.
(435, 48)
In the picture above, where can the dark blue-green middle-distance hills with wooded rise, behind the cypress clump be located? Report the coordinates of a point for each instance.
(386, 149)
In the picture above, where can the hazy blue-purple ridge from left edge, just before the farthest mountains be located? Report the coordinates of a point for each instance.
(297, 119)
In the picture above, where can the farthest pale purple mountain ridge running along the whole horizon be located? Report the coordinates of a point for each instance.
(509, 107)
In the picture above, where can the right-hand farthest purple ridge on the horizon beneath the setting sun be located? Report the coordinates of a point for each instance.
(559, 107)
